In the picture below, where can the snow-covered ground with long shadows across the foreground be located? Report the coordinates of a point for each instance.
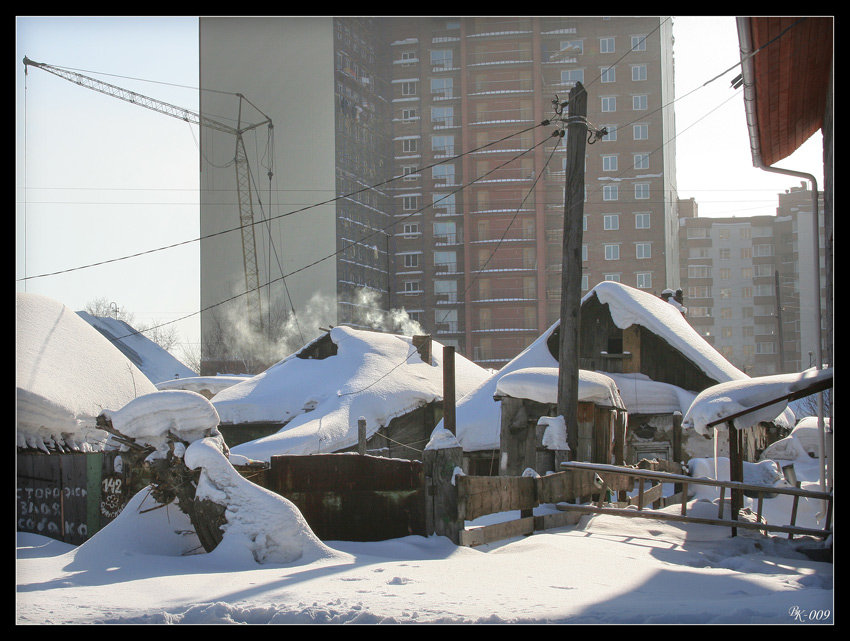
(605, 570)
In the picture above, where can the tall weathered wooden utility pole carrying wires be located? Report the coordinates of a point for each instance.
(571, 264)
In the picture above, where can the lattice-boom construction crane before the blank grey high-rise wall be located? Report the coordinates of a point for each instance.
(240, 161)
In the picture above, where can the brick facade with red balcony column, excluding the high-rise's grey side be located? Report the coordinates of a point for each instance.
(478, 254)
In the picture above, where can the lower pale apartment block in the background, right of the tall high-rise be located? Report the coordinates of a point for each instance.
(749, 285)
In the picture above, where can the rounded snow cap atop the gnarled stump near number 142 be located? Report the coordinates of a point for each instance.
(150, 419)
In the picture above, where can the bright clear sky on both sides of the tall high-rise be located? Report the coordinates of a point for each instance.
(98, 178)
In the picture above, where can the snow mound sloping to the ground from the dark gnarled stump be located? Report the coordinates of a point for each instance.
(262, 526)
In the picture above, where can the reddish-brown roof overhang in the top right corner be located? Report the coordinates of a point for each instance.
(791, 79)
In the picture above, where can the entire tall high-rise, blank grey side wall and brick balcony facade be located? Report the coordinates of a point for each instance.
(443, 117)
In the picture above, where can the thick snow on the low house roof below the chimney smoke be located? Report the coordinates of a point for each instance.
(373, 375)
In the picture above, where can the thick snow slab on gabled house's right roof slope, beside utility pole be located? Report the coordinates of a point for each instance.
(630, 306)
